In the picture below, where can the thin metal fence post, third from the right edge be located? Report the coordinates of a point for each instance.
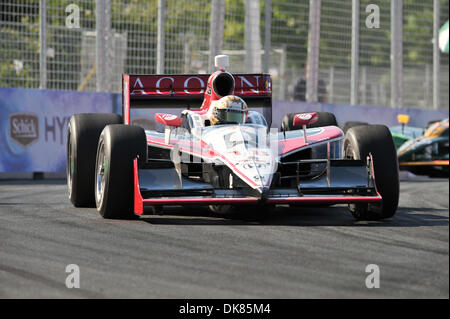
(355, 54)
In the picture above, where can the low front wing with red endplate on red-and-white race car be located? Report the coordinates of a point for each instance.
(342, 182)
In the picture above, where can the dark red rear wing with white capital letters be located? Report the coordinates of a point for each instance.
(187, 91)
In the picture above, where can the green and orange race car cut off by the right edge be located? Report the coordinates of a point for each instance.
(427, 154)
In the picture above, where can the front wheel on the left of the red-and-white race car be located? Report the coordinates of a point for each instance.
(114, 176)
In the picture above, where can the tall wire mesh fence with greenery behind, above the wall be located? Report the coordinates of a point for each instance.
(54, 44)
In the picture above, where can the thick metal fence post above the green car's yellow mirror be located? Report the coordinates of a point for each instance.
(396, 53)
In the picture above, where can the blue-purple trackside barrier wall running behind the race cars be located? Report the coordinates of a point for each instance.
(33, 124)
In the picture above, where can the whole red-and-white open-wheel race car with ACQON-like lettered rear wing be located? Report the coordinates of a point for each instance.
(238, 164)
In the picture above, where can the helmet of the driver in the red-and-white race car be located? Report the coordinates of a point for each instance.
(230, 109)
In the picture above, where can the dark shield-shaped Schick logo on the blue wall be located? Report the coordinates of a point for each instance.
(24, 128)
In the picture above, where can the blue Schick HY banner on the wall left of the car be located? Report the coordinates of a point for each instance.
(33, 126)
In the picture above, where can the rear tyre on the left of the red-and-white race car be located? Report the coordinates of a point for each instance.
(82, 138)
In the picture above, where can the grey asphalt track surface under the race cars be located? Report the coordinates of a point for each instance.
(312, 253)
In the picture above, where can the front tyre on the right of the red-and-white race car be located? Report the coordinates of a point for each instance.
(377, 140)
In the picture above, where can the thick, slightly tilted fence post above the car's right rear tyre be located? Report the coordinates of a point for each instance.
(313, 51)
